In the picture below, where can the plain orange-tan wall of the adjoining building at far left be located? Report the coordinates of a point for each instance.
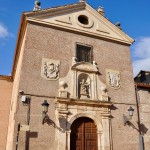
(5, 99)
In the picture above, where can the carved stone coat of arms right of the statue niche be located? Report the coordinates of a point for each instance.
(113, 78)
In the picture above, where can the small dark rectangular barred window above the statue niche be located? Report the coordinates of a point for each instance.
(84, 53)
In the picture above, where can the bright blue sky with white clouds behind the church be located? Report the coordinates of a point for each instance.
(134, 16)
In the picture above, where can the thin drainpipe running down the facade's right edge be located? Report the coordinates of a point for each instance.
(141, 141)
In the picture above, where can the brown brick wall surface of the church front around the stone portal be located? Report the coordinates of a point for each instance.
(61, 45)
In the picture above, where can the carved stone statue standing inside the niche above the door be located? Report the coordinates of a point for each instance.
(84, 89)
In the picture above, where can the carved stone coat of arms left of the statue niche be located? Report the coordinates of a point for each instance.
(50, 69)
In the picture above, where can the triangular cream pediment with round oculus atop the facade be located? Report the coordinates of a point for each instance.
(82, 18)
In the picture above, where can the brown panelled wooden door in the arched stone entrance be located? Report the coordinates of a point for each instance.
(83, 135)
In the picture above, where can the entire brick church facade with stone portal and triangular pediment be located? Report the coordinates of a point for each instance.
(72, 83)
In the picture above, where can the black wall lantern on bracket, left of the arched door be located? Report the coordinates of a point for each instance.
(45, 106)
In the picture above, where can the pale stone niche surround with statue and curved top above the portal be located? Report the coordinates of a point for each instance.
(82, 82)
